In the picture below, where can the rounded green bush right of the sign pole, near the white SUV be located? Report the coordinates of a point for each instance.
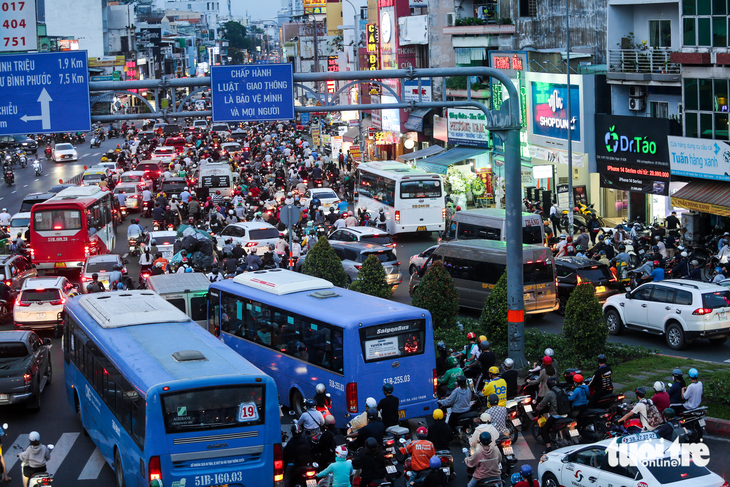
(584, 326)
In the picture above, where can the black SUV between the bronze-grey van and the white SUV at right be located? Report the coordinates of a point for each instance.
(573, 271)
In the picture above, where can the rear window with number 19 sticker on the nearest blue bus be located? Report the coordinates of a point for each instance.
(213, 408)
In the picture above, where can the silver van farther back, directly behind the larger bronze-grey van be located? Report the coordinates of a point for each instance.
(491, 224)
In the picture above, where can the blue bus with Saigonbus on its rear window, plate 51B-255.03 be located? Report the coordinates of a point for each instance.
(302, 331)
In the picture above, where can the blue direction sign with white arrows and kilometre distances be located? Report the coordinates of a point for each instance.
(44, 92)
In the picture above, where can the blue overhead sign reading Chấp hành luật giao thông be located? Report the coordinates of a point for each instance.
(252, 93)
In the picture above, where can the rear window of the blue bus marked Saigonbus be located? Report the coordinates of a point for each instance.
(393, 340)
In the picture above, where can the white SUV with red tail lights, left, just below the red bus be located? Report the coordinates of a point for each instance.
(40, 302)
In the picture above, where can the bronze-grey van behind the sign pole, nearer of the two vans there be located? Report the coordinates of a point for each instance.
(476, 266)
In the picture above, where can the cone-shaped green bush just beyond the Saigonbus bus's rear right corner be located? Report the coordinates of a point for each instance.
(437, 294)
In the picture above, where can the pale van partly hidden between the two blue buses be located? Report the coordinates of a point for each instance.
(188, 292)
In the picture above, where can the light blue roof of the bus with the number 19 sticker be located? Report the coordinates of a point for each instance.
(161, 352)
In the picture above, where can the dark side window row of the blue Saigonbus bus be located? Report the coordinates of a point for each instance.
(303, 338)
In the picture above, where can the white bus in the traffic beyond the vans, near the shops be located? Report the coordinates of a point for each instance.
(413, 200)
